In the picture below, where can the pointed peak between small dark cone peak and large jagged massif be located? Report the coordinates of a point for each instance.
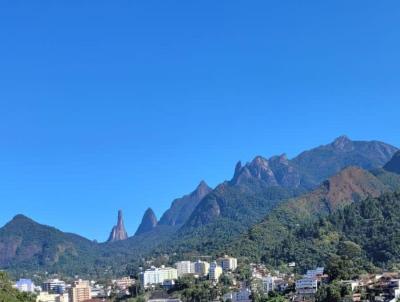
(182, 208)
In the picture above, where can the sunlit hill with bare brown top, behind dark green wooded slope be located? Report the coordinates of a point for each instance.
(268, 240)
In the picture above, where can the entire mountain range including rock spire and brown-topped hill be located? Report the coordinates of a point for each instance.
(260, 205)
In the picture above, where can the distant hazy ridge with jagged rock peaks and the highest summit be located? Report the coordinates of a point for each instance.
(311, 167)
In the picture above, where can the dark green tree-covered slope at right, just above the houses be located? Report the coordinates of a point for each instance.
(353, 239)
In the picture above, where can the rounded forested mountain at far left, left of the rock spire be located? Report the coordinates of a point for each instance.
(34, 246)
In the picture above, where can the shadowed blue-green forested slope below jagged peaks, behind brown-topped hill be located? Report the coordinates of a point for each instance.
(222, 215)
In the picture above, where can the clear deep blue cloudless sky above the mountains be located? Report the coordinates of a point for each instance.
(129, 104)
